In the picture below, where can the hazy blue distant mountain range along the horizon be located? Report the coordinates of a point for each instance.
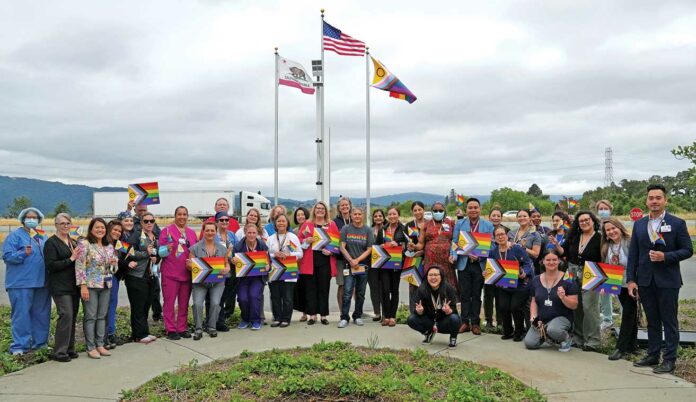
(45, 195)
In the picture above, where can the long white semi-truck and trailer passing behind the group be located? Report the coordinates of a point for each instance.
(201, 204)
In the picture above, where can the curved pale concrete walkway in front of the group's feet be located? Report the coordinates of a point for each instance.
(573, 376)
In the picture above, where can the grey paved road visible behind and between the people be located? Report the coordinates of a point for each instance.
(688, 291)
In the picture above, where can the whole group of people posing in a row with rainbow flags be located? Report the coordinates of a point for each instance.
(547, 305)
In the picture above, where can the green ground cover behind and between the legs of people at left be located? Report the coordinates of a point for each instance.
(9, 363)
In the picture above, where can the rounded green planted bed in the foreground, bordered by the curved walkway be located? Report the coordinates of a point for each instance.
(335, 371)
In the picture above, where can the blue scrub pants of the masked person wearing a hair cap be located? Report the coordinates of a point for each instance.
(31, 318)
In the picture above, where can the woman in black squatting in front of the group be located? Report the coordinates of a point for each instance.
(436, 307)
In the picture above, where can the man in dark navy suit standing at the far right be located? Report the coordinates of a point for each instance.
(659, 241)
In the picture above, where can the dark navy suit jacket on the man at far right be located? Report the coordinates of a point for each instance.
(666, 274)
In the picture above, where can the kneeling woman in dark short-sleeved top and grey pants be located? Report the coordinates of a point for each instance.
(552, 305)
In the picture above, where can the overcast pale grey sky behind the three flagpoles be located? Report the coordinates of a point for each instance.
(509, 93)
